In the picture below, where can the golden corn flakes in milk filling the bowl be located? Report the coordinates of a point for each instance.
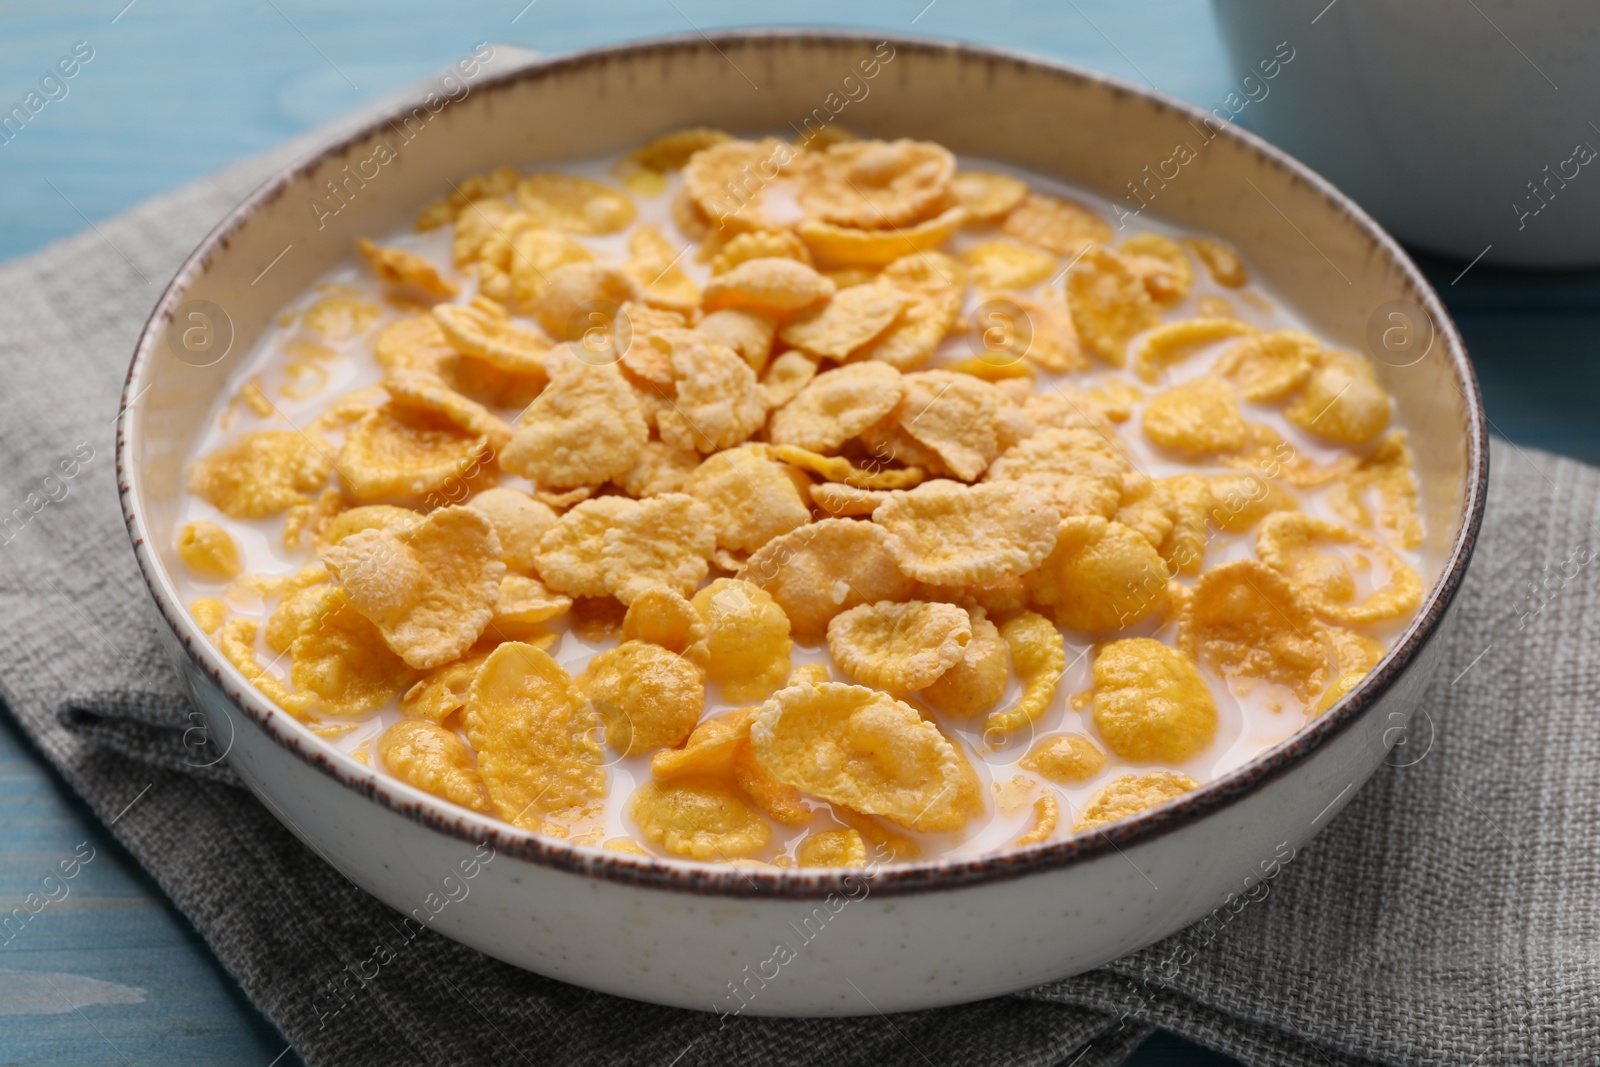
(812, 482)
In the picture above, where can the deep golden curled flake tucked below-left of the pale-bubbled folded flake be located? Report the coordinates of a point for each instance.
(342, 660)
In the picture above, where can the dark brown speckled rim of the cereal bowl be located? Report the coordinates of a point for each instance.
(737, 881)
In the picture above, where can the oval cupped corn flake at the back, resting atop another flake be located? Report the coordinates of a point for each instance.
(873, 185)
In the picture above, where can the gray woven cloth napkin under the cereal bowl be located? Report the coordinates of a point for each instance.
(1449, 916)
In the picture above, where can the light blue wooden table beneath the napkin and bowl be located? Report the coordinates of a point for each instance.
(178, 89)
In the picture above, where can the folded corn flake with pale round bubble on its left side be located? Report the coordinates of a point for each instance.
(431, 591)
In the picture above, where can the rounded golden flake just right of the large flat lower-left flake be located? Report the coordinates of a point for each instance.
(649, 698)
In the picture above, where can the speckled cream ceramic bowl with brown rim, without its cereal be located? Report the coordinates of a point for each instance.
(897, 938)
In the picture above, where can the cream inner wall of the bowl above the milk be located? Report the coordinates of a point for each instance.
(1321, 257)
